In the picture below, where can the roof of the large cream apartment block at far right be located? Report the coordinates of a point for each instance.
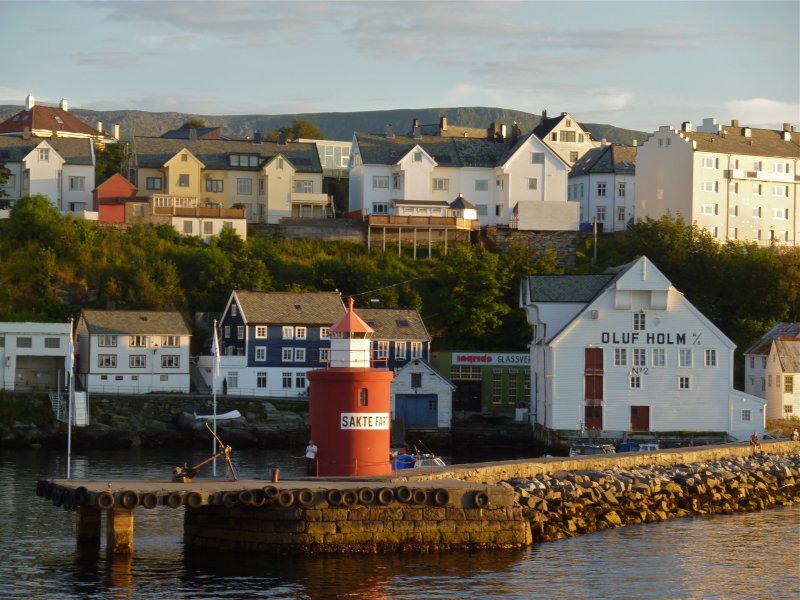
(762, 142)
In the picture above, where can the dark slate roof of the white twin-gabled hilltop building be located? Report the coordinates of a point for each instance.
(446, 151)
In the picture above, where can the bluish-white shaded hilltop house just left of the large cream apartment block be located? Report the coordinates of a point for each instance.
(603, 181)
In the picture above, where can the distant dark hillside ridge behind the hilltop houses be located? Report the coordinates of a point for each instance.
(335, 126)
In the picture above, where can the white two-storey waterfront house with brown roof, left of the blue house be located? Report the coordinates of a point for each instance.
(133, 351)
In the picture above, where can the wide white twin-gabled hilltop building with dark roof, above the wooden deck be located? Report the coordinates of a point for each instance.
(517, 181)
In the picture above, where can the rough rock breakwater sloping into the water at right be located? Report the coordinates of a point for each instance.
(570, 503)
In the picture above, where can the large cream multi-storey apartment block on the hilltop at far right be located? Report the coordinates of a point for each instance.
(736, 182)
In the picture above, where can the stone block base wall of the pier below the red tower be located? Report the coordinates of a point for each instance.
(363, 520)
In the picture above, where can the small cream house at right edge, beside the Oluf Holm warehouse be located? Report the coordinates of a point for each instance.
(772, 370)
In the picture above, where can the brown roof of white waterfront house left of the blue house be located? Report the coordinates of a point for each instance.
(135, 322)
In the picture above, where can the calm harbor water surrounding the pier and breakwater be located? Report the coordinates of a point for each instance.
(754, 555)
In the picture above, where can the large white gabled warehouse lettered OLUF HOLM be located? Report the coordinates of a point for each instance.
(625, 351)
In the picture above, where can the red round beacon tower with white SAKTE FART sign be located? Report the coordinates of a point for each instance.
(350, 404)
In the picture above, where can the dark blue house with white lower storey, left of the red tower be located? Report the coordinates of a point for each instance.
(270, 340)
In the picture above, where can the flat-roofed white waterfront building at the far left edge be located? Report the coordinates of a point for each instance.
(34, 356)
